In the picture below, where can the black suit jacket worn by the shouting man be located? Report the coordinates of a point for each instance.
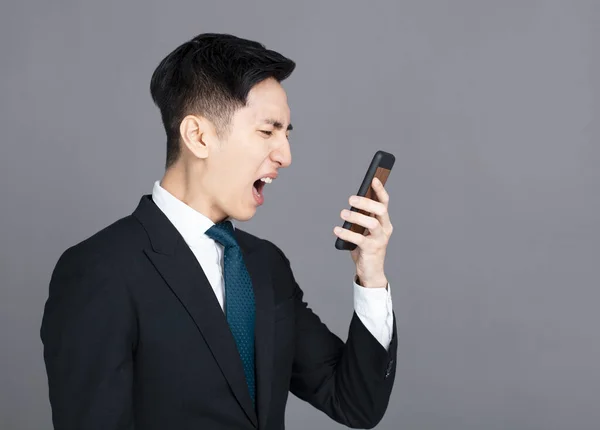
(134, 338)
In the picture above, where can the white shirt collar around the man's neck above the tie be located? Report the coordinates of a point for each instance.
(190, 223)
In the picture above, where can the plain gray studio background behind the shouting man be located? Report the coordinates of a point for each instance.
(491, 108)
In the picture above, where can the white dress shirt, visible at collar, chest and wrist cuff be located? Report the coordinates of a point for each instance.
(372, 305)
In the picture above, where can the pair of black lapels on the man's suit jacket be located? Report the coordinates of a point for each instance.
(180, 269)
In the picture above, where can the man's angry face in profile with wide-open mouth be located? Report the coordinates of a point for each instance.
(255, 146)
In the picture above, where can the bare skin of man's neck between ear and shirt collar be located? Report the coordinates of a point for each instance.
(186, 186)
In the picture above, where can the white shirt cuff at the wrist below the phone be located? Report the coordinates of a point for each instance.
(374, 308)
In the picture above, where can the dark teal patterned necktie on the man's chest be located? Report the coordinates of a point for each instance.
(239, 298)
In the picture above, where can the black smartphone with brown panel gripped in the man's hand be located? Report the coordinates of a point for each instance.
(380, 167)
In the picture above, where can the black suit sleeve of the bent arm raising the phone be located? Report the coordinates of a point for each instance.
(351, 382)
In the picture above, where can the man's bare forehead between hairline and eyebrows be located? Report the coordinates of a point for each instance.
(266, 101)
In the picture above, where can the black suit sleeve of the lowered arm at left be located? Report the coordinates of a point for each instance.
(88, 332)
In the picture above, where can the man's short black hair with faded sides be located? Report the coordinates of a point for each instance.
(211, 75)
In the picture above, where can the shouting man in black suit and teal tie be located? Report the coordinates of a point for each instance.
(172, 318)
